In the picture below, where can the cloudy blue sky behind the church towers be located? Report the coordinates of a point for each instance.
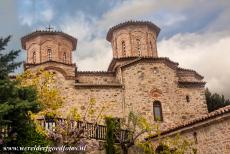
(195, 33)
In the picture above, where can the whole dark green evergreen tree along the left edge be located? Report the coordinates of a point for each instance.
(15, 103)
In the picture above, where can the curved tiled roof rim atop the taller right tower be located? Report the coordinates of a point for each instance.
(127, 23)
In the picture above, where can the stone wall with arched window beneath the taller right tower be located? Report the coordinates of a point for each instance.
(141, 80)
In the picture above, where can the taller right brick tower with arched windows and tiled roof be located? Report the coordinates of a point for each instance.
(134, 38)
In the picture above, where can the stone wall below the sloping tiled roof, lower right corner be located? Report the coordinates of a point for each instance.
(209, 137)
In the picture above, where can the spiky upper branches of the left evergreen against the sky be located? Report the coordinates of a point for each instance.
(7, 64)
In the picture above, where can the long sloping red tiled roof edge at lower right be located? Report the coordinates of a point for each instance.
(203, 118)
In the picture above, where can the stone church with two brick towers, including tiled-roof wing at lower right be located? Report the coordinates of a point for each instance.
(136, 80)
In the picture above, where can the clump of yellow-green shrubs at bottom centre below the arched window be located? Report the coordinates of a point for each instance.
(132, 133)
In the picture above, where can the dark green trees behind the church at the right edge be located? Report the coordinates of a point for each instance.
(215, 101)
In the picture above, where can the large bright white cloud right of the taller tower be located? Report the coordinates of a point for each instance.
(208, 54)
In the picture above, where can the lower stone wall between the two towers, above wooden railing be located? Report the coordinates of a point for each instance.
(80, 97)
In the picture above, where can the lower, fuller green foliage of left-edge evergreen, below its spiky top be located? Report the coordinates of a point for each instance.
(15, 103)
